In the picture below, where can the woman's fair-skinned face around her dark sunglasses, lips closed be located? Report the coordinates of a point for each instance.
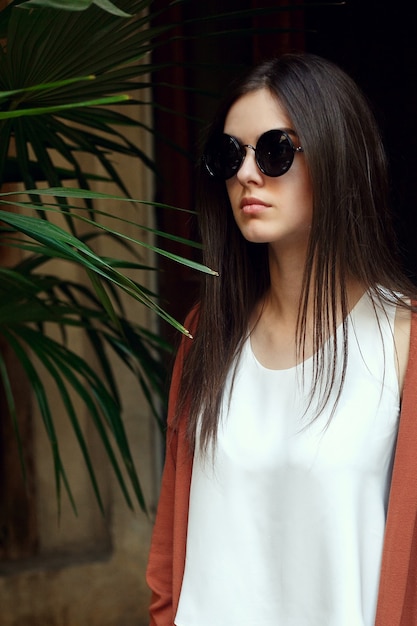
(277, 211)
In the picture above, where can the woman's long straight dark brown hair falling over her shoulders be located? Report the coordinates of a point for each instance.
(351, 234)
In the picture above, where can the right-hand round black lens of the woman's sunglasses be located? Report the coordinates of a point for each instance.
(274, 153)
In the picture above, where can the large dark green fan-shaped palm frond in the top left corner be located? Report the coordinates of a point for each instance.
(44, 118)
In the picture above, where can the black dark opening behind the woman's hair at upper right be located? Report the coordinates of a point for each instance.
(376, 43)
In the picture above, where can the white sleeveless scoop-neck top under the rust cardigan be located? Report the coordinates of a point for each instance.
(286, 525)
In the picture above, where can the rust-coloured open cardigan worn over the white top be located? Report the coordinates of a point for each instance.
(397, 600)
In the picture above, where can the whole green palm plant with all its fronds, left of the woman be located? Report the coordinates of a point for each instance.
(62, 62)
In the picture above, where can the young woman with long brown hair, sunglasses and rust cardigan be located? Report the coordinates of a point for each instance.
(289, 495)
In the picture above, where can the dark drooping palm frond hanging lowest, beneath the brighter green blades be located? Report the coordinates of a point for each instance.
(34, 298)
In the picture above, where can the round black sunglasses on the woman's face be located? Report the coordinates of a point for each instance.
(274, 154)
